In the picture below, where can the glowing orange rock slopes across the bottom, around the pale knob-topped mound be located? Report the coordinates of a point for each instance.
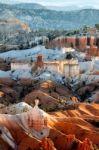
(69, 130)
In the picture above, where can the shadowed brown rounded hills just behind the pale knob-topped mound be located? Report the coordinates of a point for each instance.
(52, 96)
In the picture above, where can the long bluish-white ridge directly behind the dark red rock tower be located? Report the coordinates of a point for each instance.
(31, 53)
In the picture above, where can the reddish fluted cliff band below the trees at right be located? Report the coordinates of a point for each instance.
(81, 43)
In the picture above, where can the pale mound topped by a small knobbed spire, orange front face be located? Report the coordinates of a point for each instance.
(34, 122)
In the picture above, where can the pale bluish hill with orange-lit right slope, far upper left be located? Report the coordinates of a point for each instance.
(11, 30)
